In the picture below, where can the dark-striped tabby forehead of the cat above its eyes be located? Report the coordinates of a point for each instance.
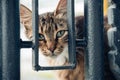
(49, 23)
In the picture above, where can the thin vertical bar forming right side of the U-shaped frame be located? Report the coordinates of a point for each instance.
(71, 28)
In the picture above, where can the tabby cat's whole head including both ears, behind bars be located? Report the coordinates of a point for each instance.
(53, 31)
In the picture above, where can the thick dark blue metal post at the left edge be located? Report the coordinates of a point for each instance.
(9, 39)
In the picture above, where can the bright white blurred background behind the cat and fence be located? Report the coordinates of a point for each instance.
(27, 73)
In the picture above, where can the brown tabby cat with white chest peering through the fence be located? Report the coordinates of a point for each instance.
(53, 39)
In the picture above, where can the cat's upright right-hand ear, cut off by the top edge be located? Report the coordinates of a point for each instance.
(61, 10)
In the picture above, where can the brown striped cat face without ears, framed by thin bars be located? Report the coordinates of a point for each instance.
(53, 35)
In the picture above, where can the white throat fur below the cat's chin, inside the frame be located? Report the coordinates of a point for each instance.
(57, 59)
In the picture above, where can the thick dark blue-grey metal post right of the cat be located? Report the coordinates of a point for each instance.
(94, 51)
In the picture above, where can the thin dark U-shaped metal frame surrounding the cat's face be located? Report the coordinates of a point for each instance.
(71, 42)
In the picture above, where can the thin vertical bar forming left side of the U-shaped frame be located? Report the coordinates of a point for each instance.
(35, 16)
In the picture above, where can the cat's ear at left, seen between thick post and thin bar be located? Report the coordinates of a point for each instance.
(26, 20)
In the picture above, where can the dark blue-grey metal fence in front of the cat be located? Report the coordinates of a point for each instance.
(10, 42)
